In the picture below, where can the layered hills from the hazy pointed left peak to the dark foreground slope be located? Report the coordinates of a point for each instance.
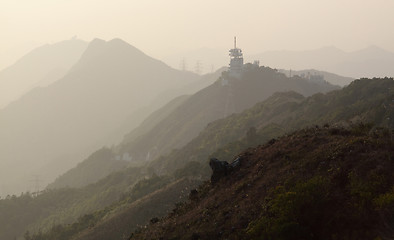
(176, 121)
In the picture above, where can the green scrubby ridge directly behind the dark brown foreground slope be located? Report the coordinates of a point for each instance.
(368, 99)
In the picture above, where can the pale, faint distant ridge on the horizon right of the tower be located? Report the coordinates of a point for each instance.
(369, 62)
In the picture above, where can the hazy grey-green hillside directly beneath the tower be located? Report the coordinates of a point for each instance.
(183, 118)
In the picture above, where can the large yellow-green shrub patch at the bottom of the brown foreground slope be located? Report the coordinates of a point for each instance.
(294, 213)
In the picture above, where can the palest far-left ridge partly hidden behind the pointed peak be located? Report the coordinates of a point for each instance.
(39, 68)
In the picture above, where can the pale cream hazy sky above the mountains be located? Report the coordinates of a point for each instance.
(159, 27)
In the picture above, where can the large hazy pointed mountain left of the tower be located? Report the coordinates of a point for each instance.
(59, 125)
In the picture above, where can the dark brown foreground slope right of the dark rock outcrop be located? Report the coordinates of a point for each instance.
(312, 184)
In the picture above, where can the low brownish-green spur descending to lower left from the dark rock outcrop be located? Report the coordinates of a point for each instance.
(127, 202)
